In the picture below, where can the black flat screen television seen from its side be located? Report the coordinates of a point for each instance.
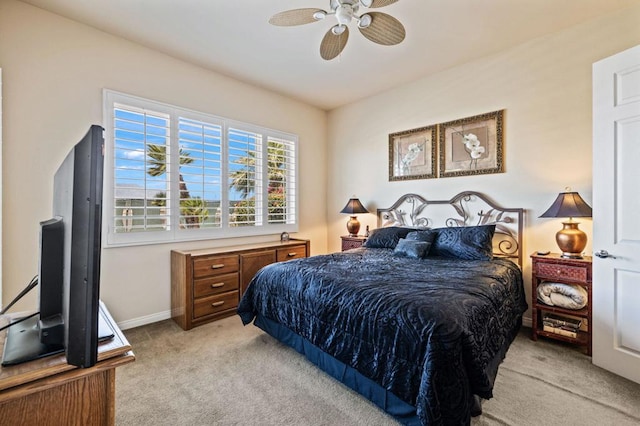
(69, 266)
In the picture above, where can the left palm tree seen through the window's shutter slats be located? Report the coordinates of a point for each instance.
(194, 210)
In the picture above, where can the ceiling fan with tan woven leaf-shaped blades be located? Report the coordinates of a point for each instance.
(376, 26)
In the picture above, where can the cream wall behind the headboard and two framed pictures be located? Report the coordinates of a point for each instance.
(545, 88)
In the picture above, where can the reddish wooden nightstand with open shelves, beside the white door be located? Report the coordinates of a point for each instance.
(554, 268)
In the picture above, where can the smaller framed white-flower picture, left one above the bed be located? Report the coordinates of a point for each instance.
(412, 154)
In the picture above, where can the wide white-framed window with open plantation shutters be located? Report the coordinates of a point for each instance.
(172, 174)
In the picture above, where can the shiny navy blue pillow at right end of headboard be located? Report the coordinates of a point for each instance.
(464, 242)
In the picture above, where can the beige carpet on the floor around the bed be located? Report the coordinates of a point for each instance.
(226, 374)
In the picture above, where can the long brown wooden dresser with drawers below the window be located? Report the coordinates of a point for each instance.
(207, 284)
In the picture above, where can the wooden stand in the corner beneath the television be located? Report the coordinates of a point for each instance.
(49, 391)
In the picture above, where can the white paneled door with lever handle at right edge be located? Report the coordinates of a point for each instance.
(616, 213)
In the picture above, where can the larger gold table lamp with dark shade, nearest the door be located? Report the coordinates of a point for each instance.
(570, 239)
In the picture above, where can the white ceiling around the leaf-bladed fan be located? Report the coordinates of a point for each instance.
(233, 37)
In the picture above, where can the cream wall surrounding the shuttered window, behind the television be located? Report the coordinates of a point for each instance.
(54, 70)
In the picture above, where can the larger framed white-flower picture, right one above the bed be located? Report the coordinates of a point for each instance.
(472, 145)
